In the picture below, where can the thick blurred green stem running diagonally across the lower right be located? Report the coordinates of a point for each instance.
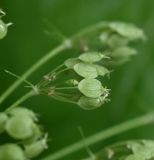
(102, 135)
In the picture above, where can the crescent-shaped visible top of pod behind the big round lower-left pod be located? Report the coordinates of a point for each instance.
(23, 112)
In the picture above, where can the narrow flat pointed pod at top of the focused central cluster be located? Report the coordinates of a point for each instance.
(91, 57)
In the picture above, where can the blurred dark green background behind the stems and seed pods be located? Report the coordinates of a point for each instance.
(132, 84)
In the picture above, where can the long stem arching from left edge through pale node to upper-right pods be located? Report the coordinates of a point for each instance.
(65, 45)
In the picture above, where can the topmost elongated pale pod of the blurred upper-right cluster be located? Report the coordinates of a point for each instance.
(127, 30)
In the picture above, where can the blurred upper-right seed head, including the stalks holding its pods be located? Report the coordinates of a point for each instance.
(114, 37)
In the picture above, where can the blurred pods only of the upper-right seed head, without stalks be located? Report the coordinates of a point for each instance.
(117, 39)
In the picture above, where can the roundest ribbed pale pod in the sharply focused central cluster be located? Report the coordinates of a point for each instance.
(91, 88)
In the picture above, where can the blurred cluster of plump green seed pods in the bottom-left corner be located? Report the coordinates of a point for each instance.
(21, 125)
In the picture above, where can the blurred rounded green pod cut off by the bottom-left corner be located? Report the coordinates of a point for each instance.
(11, 152)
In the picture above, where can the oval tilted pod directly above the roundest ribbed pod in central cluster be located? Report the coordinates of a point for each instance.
(85, 70)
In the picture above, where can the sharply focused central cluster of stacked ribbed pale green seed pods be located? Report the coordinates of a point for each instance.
(93, 92)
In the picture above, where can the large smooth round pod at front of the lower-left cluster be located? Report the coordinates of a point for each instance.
(20, 127)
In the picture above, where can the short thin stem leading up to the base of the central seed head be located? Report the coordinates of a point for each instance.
(20, 100)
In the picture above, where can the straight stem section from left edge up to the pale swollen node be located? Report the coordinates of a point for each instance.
(32, 69)
